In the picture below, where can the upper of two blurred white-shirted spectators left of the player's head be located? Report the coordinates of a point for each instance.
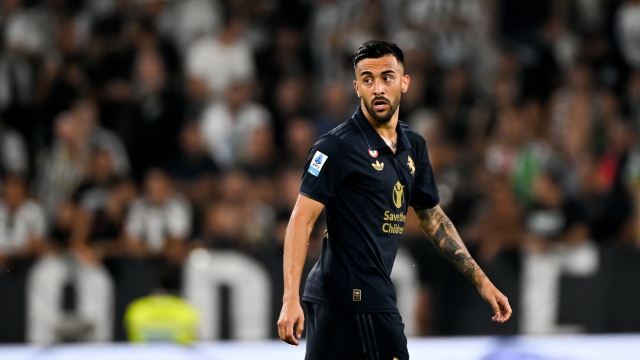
(213, 64)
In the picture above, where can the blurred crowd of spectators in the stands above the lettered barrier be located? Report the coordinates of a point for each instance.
(148, 128)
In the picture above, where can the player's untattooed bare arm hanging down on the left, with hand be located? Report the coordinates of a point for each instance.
(296, 242)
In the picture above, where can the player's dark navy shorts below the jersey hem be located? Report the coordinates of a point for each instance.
(336, 335)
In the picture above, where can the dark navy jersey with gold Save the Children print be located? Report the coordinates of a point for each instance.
(366, 190)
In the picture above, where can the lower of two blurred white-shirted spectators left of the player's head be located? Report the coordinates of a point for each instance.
(228, 125)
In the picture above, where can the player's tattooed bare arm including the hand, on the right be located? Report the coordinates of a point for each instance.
(440, 230)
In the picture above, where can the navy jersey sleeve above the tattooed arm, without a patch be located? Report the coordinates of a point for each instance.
(425, 192)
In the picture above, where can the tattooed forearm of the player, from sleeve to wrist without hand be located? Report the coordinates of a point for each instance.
(444, 236)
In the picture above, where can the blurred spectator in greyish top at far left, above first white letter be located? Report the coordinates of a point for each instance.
(62, 167)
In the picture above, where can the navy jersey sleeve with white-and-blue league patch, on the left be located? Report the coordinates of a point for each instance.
(325, 169)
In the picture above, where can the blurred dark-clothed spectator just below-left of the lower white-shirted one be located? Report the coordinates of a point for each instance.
(193, 171)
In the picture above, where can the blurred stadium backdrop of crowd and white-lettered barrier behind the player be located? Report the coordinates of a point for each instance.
(143, 141)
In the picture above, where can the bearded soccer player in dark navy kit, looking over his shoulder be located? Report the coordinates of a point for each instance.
(366, 173)
